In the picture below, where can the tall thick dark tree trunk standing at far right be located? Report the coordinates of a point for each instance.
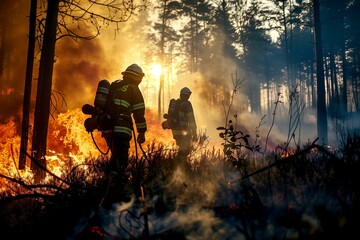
(321, 102)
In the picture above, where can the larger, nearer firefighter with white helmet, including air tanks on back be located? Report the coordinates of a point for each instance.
(119, 102)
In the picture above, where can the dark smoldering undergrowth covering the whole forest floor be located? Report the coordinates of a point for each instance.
(305, 193)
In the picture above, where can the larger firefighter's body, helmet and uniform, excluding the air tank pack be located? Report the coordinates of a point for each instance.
(124, 102)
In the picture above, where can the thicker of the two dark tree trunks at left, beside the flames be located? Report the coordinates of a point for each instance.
(43, 97)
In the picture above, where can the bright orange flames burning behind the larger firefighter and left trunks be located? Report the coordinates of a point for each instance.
(67, 141)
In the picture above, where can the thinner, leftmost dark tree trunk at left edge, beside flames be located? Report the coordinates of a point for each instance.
(28, 82)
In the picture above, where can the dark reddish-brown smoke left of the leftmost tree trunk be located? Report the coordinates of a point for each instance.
(13, 48)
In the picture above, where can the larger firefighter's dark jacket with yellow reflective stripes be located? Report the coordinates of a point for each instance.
(125, 99)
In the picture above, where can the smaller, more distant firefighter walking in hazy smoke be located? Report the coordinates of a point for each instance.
(181, 121)
